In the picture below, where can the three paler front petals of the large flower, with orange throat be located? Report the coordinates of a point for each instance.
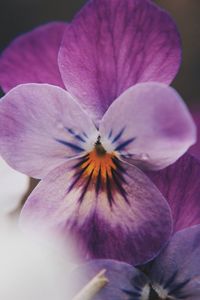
(87, 187)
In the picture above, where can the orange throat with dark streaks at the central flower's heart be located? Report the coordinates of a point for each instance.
(99, 170)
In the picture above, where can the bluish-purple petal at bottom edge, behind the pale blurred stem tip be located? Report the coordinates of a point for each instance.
(121, 277)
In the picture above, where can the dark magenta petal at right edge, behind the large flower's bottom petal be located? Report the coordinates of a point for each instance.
(180, 185)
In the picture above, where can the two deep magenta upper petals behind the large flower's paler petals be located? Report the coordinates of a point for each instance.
(110, 46)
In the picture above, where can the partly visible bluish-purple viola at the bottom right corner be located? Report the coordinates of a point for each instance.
(174, 274)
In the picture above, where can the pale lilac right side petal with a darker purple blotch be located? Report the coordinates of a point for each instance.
(150, 125)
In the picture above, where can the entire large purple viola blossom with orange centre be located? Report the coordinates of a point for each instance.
(87, 158)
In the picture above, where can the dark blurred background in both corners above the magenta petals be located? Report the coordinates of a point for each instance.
(19, 16)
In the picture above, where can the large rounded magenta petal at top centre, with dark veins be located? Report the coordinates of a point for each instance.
(111, 45)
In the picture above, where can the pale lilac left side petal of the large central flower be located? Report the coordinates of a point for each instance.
(40, 127)
